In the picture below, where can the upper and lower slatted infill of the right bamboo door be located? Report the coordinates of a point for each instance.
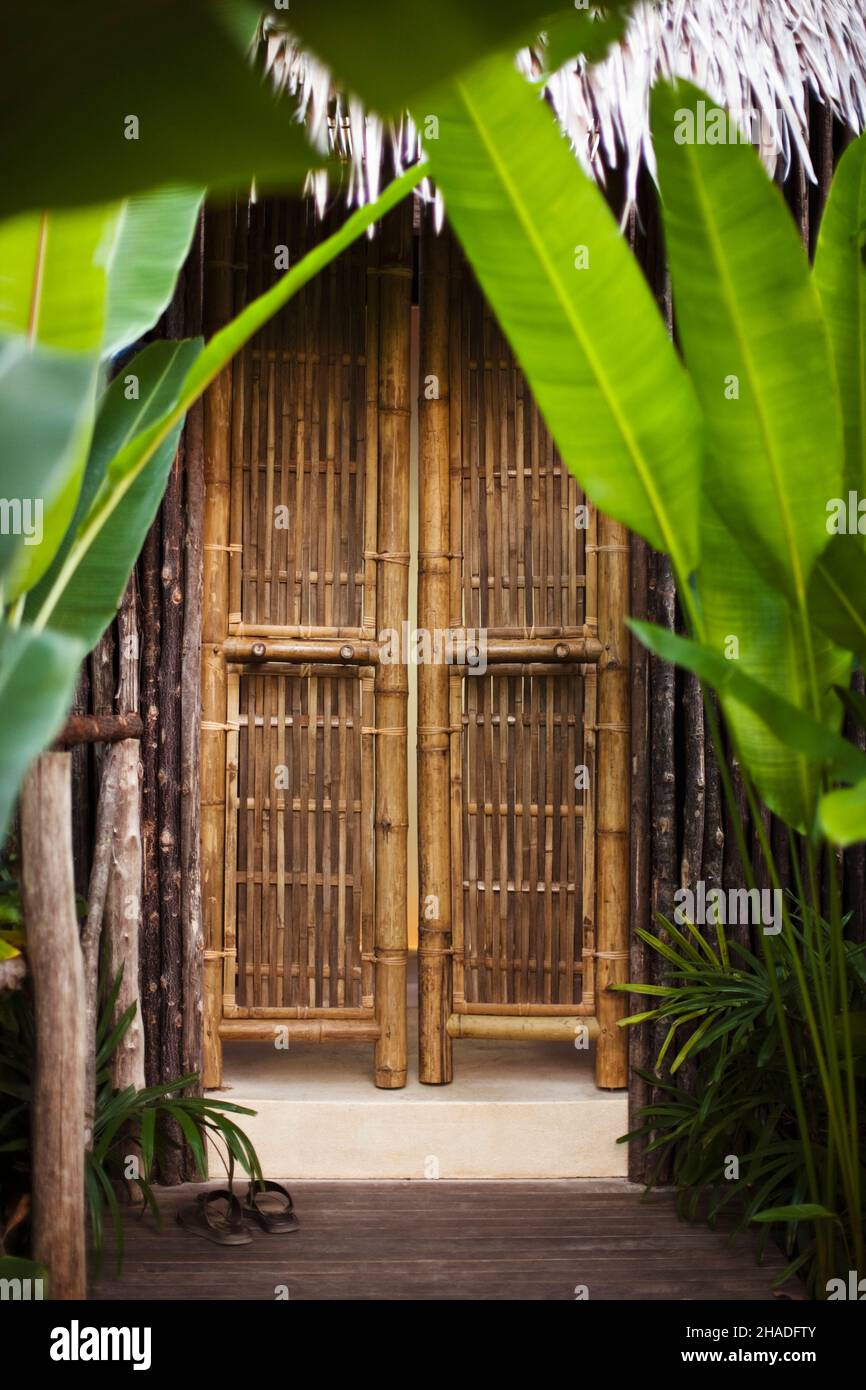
(523, 568)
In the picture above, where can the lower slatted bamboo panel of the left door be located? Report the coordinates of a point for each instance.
(304, 842)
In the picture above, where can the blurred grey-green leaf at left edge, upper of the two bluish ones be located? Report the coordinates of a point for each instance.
(45, 420)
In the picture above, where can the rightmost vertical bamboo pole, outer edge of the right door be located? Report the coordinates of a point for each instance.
(614, 803)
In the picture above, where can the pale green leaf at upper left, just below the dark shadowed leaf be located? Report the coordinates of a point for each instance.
(154, 236)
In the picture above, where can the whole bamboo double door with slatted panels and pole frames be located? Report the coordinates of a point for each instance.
(305, 806)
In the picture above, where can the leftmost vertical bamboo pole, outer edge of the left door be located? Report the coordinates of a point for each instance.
(215, 625)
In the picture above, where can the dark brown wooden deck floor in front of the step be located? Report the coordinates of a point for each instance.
(466, 1242)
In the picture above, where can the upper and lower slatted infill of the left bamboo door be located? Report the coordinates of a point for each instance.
(300, 849)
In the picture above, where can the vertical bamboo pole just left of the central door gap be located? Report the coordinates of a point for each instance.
(391, 679)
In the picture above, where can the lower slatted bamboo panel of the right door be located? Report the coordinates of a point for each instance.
(523, 847)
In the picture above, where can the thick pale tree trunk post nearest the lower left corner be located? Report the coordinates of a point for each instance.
(59, 1003)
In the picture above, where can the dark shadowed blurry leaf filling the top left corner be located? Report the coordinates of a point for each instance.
(172, 98)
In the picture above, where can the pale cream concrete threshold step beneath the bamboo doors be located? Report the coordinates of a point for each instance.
(514, 1111)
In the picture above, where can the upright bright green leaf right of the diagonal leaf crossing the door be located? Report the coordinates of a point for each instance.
(755, 344)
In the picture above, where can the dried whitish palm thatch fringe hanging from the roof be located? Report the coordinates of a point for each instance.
(751, 56)
